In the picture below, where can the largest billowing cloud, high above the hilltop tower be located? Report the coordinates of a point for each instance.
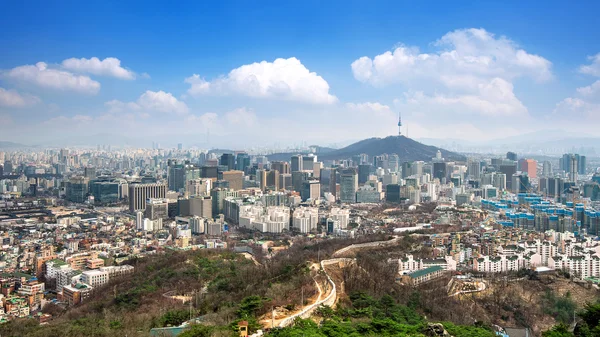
(465, 58)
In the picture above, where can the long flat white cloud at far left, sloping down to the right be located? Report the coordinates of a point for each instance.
(40, 75)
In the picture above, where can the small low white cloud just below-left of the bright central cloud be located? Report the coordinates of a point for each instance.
(158, 101)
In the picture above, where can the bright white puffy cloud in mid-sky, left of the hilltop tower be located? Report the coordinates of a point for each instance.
(285, 79)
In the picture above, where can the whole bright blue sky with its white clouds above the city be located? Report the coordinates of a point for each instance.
(491, 70)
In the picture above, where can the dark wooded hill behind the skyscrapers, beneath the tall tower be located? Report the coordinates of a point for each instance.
(407, 149)
